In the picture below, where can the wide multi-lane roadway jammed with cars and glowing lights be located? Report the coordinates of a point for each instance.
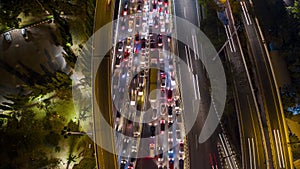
(144, 68)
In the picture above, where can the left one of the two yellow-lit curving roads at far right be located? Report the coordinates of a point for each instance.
(251, 131)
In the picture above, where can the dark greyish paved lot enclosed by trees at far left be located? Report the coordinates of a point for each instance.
(40, 49)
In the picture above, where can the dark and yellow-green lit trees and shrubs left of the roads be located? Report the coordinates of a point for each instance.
(39, 127)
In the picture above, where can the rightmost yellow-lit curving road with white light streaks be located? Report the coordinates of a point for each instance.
(270, 103)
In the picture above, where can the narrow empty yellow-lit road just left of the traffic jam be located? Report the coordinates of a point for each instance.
(104, 159)
